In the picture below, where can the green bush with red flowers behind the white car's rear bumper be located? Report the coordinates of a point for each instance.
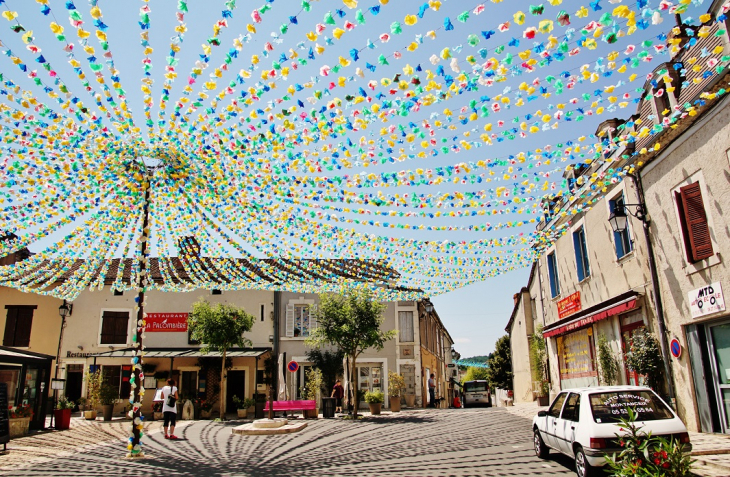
(645, 455)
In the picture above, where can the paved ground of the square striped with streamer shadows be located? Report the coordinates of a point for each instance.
(438, 442)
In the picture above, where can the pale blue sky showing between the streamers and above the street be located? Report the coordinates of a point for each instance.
(476, 314)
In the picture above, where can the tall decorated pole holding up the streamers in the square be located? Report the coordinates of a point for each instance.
(135, 444)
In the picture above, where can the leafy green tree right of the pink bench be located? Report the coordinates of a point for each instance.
(352, 323)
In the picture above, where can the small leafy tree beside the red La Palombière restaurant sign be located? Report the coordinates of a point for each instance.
(219, 328)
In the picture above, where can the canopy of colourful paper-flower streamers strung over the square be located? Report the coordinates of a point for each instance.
(314, 147)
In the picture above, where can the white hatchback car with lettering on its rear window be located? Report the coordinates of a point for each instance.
(582, 423)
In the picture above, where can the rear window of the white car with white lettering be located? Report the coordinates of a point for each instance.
(611, 407)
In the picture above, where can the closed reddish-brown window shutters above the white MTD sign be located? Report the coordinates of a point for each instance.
(693, 220)
